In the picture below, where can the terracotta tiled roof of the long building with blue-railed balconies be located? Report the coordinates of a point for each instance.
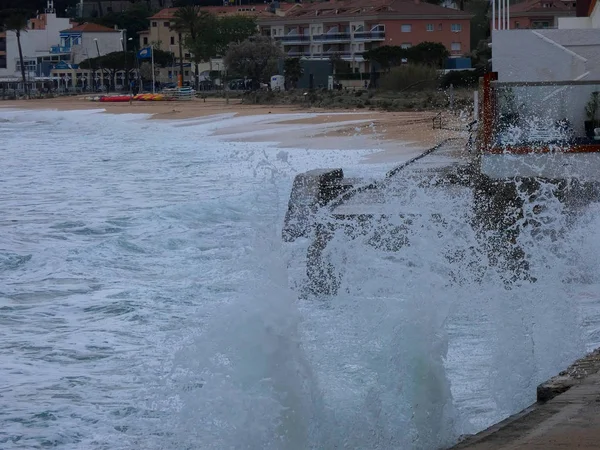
(379, 8)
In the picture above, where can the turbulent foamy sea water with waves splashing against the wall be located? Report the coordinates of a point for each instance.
(147, 301)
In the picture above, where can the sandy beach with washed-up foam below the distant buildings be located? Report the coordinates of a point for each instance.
(392, 133)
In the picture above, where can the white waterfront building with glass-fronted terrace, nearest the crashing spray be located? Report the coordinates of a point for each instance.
(548, 80)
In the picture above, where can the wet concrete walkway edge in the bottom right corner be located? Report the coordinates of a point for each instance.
(565, 416)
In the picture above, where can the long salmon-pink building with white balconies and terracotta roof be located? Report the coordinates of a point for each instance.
(347, 28)
